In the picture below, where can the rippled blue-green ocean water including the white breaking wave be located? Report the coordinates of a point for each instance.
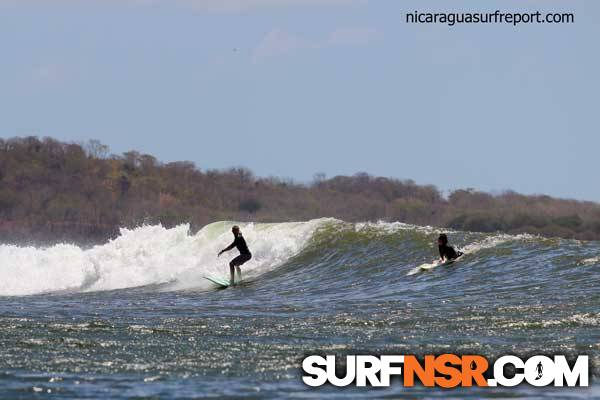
(135, 317)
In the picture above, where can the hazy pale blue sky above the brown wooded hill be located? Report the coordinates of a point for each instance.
(291, 88)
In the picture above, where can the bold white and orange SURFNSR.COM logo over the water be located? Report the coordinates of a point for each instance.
(446, 371)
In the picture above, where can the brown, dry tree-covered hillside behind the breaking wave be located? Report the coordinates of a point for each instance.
(52, 191)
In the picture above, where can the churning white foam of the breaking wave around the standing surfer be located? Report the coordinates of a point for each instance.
(148, 255)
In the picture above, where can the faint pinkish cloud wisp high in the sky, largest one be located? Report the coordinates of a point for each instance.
(279, 42)
